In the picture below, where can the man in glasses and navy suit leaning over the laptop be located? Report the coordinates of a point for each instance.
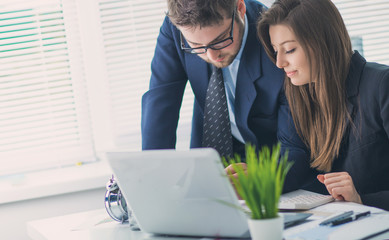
(199, 34)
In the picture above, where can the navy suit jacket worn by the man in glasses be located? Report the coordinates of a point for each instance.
(258, 90)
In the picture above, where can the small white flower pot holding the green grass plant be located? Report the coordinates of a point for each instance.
(266, 229)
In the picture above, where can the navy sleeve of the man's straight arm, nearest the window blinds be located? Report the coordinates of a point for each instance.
(162, 102)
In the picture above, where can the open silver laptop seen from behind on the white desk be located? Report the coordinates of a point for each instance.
(180, 192)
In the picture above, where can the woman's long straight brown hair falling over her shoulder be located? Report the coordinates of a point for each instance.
(319, 108)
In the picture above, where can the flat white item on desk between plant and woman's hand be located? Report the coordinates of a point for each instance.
(303, 200)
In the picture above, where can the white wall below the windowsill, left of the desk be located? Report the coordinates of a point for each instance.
(14, 216)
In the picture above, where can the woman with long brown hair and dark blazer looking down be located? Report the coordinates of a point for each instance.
(339, 102)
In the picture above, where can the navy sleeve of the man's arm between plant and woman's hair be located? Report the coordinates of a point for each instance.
(301, 175)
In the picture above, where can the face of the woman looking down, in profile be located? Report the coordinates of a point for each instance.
(289, 54)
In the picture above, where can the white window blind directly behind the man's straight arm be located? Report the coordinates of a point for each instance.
(129, 32)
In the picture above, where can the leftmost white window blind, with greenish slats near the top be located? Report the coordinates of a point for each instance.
(43, 109)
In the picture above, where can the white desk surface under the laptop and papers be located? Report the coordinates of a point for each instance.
(96, 225)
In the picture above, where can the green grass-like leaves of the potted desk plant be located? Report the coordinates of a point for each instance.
(261, 183)
